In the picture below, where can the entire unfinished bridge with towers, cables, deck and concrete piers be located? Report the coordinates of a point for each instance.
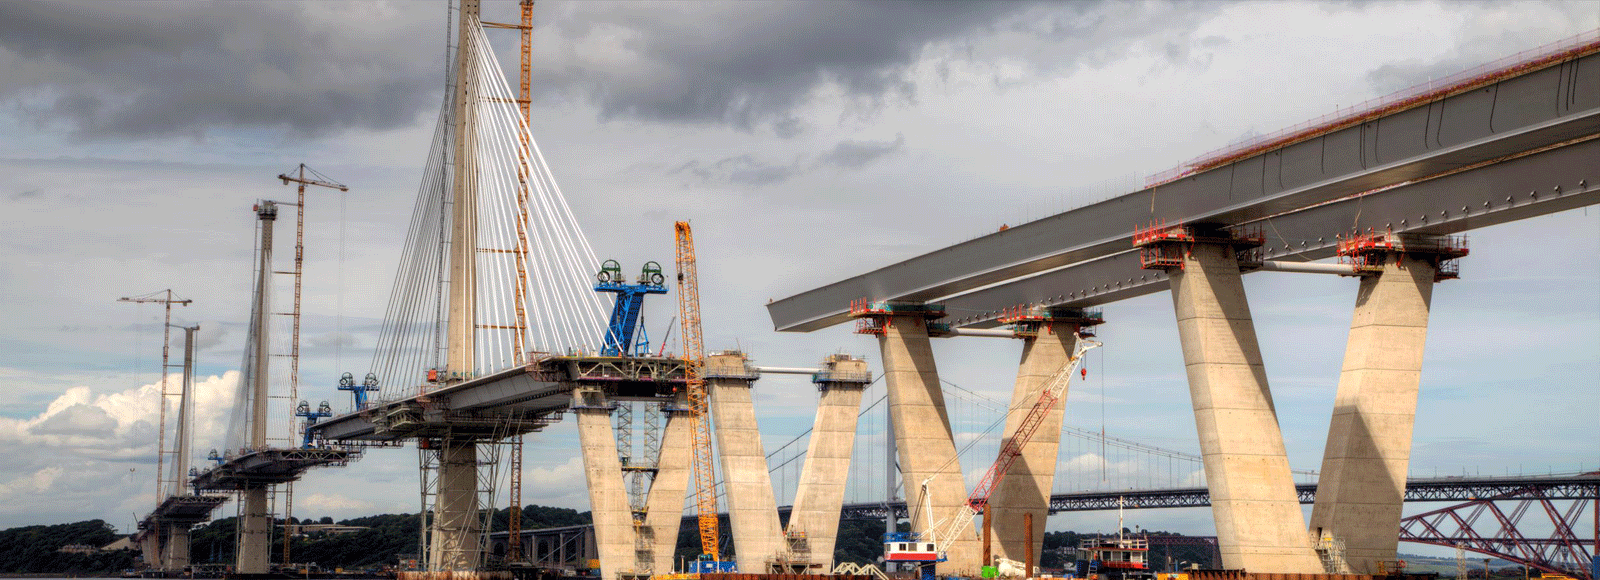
(498, 328)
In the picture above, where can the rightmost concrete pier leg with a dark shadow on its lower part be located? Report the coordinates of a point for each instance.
(1364, 469)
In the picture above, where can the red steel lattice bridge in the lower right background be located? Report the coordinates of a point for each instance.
(1503, 534)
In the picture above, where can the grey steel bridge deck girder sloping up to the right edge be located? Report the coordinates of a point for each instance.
(1527, 111)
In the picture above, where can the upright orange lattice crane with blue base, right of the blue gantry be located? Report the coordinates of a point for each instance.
(700, 406)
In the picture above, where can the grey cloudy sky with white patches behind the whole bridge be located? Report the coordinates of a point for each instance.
(807, 142)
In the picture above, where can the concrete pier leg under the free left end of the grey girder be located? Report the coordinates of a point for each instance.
(922, 437)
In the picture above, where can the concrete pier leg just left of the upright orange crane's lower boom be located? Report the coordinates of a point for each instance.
(665, 505)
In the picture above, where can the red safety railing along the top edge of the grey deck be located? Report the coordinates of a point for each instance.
(1409, 99)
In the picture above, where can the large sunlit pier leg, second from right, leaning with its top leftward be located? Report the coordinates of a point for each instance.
(1258, 520)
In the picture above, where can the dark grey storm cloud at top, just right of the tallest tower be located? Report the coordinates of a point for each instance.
(751, 63)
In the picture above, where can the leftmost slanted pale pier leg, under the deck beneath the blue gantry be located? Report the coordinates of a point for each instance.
(614, 522)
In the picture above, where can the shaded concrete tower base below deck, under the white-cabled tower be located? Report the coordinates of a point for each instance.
(457, 534)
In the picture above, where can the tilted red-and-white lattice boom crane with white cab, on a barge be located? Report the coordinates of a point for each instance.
(934, 544)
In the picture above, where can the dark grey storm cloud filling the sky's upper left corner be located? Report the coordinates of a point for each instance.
(134, 70)
